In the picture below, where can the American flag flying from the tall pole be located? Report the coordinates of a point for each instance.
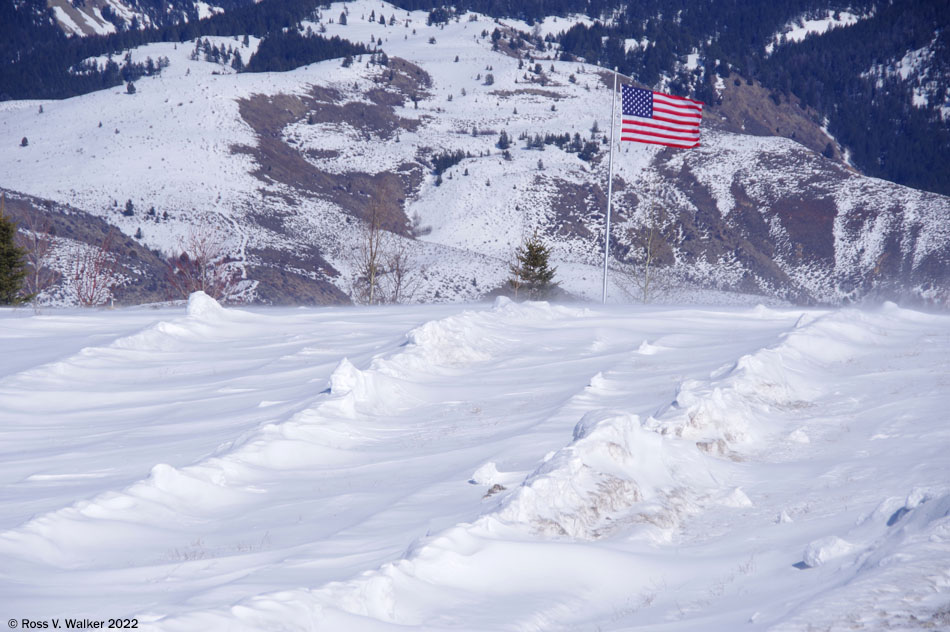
(660, 119)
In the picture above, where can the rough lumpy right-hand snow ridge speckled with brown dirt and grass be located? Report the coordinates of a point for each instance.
(619, 471)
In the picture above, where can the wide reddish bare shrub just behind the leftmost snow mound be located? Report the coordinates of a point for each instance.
(204, 264)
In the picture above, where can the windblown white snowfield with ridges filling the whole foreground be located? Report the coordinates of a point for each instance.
(482, 467)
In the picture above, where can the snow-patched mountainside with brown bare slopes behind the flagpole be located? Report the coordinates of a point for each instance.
(288, 166)
